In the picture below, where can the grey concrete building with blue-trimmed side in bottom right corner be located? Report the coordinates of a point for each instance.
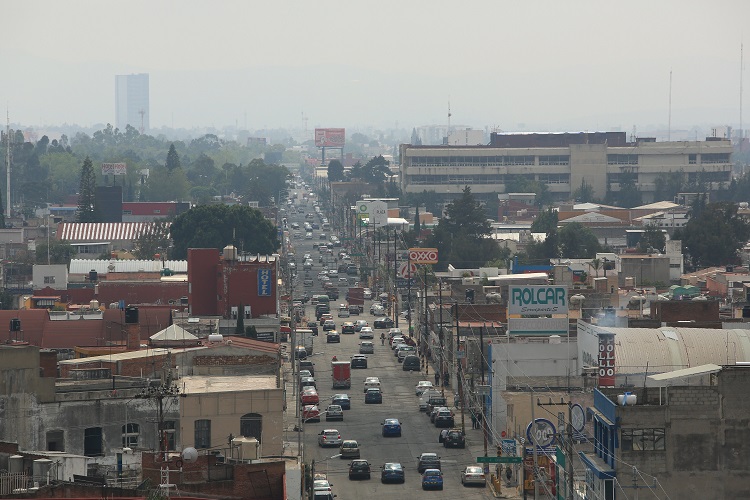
(688, 440)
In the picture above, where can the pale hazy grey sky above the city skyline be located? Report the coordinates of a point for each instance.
(534, 65)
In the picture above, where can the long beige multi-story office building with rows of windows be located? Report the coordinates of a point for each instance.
(563, 161)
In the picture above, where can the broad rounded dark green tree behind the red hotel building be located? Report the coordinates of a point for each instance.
(215, 226)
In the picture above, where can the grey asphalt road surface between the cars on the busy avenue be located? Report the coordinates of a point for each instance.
(362, 422)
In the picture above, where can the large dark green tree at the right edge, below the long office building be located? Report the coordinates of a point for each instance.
(713, 235)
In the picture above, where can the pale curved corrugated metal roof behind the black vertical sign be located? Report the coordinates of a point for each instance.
(668, 348)
